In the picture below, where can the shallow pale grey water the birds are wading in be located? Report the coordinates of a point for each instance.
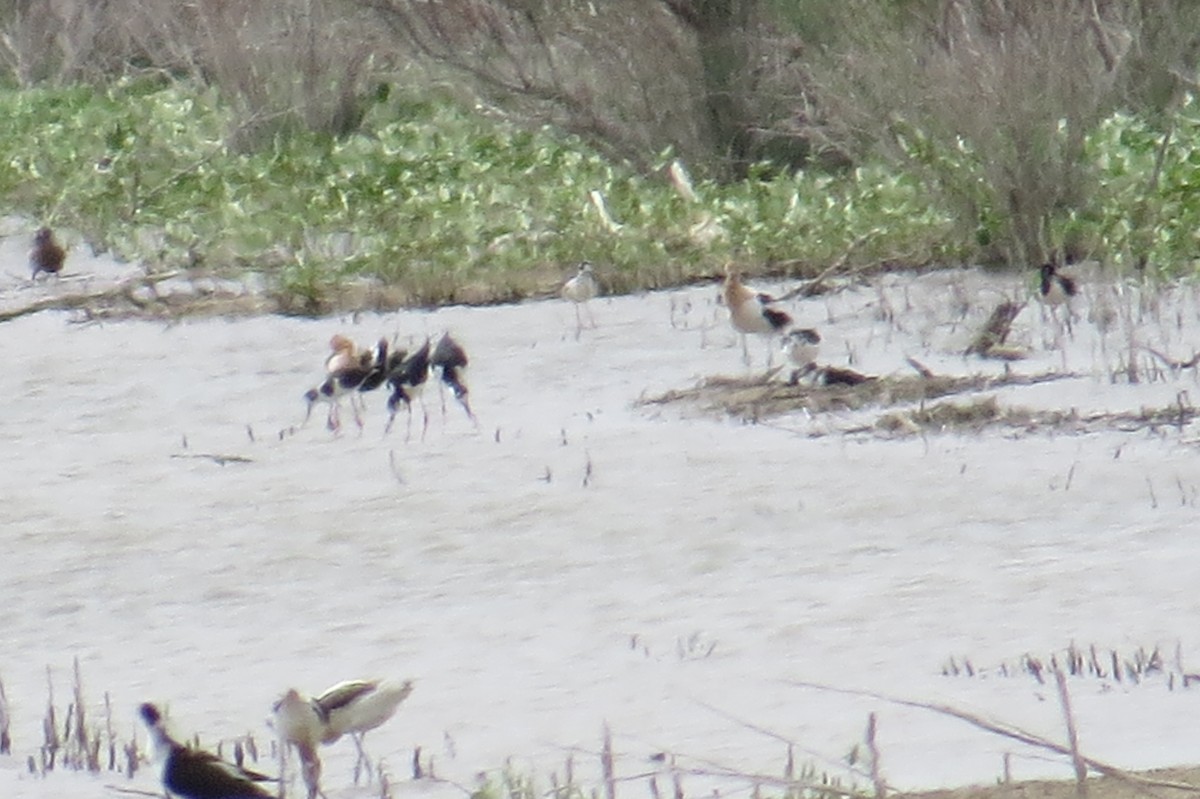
(578, 560)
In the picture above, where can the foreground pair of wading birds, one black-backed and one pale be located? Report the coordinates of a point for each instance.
(352, 708)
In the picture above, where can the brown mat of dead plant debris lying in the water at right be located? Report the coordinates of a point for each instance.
(760, 399)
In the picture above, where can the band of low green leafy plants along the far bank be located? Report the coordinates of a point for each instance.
(435, 200)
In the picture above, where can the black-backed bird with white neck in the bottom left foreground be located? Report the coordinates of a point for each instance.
(195, 774)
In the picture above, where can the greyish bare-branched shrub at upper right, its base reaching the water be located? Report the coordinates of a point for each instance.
(993, 100)
